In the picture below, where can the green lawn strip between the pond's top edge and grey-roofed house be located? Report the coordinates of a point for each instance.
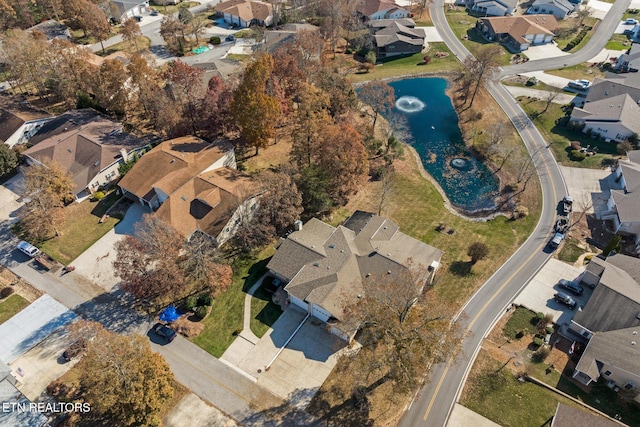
(412, 64)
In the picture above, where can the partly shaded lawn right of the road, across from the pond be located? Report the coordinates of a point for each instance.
(560, 137)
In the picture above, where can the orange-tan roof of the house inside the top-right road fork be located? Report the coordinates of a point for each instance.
(519, 26)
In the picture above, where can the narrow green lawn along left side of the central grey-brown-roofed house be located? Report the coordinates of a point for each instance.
(224, 322)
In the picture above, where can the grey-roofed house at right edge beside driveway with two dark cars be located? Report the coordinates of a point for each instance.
(610, 322)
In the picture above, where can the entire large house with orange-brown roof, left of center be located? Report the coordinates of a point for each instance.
(193, 186)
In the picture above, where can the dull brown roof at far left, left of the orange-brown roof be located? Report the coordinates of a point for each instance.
(85, 150)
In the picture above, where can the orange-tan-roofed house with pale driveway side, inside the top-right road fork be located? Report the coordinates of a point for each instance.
(517, 33)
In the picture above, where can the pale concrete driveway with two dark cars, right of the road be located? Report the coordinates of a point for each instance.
(538, 294)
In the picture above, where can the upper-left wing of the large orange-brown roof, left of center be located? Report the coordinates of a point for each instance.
(171, 165)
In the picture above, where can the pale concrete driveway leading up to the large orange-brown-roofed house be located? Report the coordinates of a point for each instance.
(96, 263)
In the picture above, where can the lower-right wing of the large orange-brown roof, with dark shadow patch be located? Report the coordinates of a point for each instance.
(206, 202)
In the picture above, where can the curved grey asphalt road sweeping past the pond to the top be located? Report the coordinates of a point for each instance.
(433, 404)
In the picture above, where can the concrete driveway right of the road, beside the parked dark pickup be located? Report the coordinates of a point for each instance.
(590, 188)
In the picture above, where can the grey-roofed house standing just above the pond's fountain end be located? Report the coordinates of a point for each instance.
(397, 37)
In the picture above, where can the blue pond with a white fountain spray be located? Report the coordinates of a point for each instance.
(432, 124)
